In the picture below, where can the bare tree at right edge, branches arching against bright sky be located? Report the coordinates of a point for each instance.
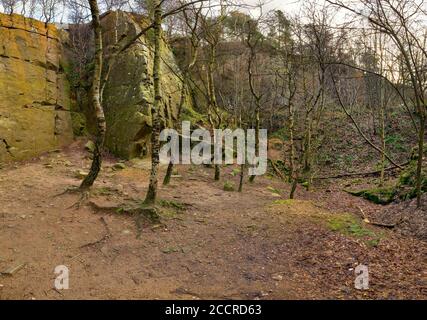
(404, 23)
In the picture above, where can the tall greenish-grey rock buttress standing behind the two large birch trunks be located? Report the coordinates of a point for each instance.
(128, 93)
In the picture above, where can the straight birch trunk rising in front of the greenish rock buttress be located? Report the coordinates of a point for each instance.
(155, 141)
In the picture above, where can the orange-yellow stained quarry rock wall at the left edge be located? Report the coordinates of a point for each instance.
(34, 91)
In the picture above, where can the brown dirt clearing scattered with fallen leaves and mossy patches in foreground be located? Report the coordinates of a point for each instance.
(225, 245)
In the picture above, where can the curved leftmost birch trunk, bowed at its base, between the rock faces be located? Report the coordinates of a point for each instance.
(96, 100)
